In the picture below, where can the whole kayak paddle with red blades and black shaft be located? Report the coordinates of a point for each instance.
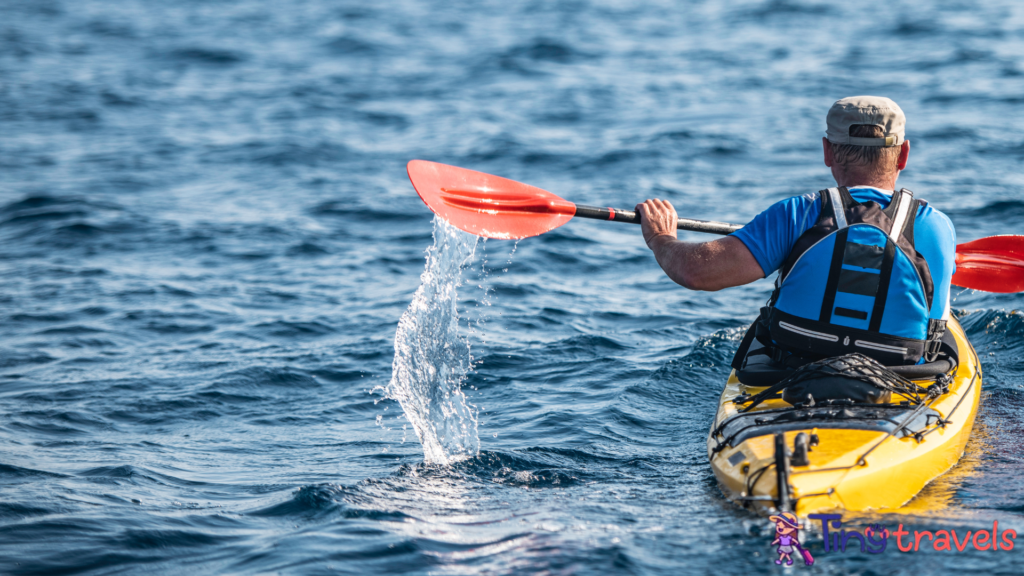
(496, 208)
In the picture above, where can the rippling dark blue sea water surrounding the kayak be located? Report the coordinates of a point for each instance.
(208, 241)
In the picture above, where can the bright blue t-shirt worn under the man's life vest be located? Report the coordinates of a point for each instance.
(773, 234)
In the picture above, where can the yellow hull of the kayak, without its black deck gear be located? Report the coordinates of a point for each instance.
(851, 470)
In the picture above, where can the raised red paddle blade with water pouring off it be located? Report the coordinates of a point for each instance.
(487, 205)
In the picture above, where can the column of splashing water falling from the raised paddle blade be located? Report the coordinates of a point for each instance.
(432, 359)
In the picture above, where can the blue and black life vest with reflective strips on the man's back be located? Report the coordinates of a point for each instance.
(854, 282)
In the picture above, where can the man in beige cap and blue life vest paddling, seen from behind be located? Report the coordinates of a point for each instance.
(863, 269)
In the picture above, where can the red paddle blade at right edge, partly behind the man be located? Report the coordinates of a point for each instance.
(993, 265)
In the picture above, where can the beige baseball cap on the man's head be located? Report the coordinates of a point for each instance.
(877, 111)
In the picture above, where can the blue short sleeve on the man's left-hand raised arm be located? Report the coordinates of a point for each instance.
(773, 234)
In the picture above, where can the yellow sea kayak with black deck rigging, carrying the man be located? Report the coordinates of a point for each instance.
(809, 460)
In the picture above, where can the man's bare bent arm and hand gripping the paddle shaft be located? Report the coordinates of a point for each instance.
(705, 266)
